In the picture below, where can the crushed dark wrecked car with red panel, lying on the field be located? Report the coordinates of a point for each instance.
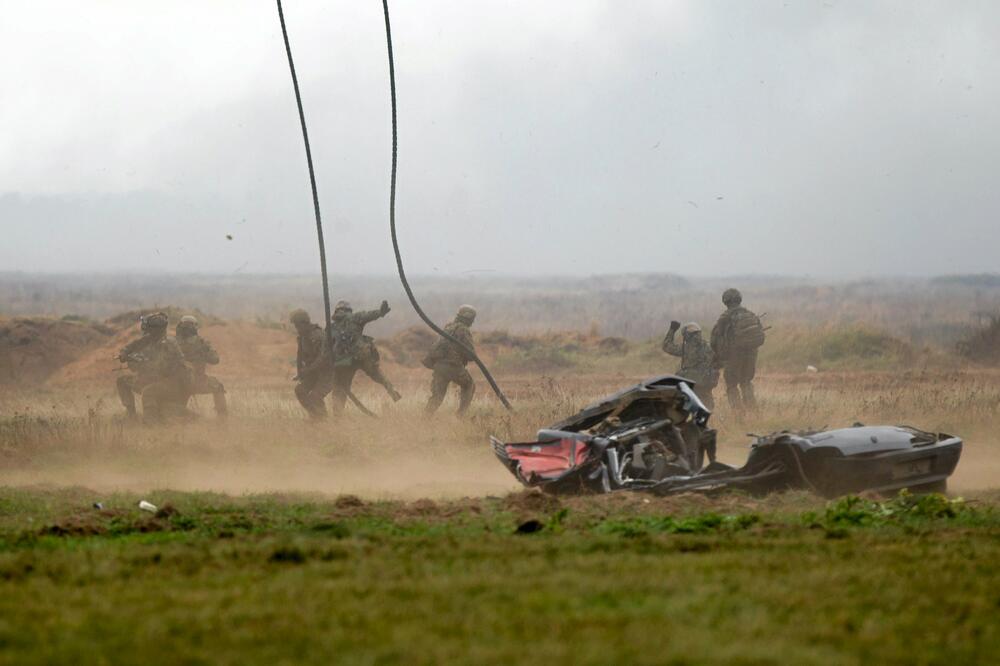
(655, 437)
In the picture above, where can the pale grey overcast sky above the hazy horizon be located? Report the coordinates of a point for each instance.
(536, 137)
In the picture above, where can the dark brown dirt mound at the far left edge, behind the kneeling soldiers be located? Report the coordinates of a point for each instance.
(32, 349)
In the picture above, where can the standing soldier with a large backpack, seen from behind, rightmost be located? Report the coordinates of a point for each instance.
(736, 338)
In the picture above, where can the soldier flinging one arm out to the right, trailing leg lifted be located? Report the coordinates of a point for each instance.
(355, 350)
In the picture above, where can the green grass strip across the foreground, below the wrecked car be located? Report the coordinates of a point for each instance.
(289, 579)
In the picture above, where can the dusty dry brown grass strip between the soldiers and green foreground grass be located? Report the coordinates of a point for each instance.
(68, 437)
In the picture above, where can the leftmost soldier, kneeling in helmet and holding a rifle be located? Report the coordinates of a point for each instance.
(161, 376)
